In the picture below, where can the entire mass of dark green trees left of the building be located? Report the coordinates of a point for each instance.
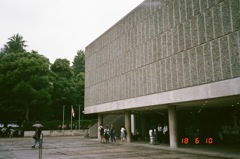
(31, 88)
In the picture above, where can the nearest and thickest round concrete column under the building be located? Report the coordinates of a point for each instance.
(172, 116)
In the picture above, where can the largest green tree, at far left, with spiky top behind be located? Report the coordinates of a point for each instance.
(24, 82)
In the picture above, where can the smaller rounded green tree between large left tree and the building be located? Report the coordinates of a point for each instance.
(67, 88)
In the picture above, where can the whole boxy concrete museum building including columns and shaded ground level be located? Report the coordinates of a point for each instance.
(174, 62)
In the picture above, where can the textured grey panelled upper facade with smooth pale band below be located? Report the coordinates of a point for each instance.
(165, 52)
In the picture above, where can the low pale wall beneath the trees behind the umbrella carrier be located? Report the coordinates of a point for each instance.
(83, 132)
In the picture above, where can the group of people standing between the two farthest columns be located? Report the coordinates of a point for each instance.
(107, 134)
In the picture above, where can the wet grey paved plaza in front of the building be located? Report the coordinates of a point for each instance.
(82, 148)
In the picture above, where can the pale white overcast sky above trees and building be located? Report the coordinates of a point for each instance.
(59, 28)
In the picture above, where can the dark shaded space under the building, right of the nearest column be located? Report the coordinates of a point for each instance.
(219, 125)
